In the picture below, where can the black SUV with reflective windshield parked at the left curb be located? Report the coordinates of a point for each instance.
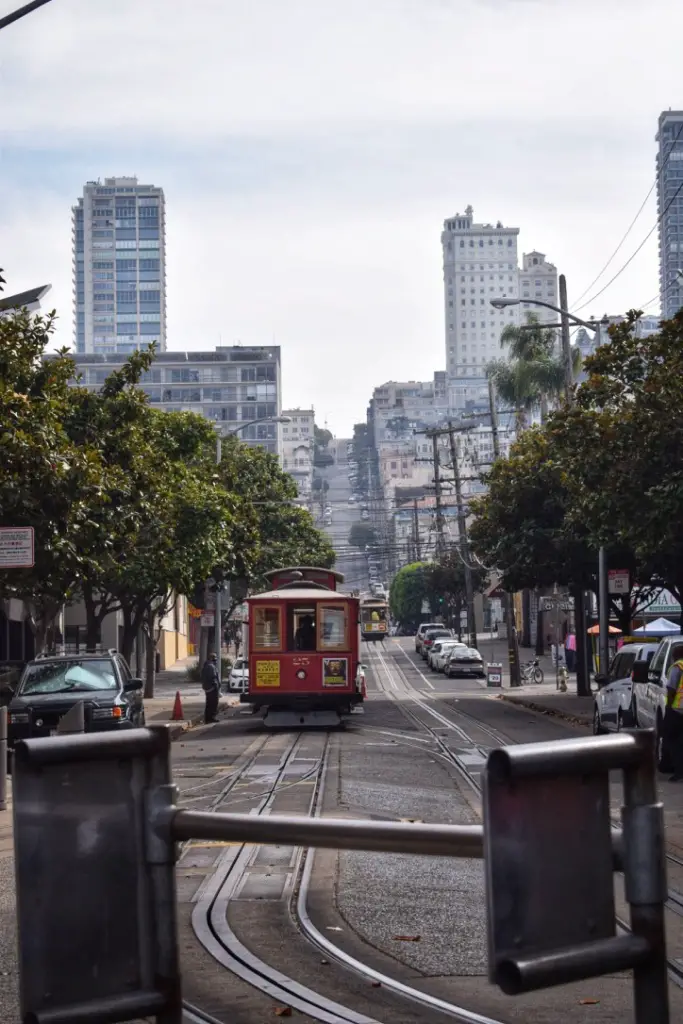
(52, 687)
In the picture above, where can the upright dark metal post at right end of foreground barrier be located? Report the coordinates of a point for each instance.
(646, 877)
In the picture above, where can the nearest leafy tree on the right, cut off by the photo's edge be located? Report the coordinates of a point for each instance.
(623, 448)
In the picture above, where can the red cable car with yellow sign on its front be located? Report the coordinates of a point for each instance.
(304, 648)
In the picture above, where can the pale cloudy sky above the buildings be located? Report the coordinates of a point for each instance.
(311, 151)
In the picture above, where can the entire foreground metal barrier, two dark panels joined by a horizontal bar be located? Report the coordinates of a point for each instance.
(96, 821)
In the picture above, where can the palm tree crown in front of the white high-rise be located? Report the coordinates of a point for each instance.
(533, 376)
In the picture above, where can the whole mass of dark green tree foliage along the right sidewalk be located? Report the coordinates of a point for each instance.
(606, 472)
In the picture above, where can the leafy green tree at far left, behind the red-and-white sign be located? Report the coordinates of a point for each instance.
(48, 481)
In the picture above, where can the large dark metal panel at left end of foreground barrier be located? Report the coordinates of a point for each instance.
(89, 870)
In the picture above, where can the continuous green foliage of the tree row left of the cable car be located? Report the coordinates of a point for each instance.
(127, 503)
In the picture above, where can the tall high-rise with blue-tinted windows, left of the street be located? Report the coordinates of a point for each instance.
(119, 268)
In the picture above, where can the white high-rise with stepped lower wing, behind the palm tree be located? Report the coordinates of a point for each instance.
(481, 264)
